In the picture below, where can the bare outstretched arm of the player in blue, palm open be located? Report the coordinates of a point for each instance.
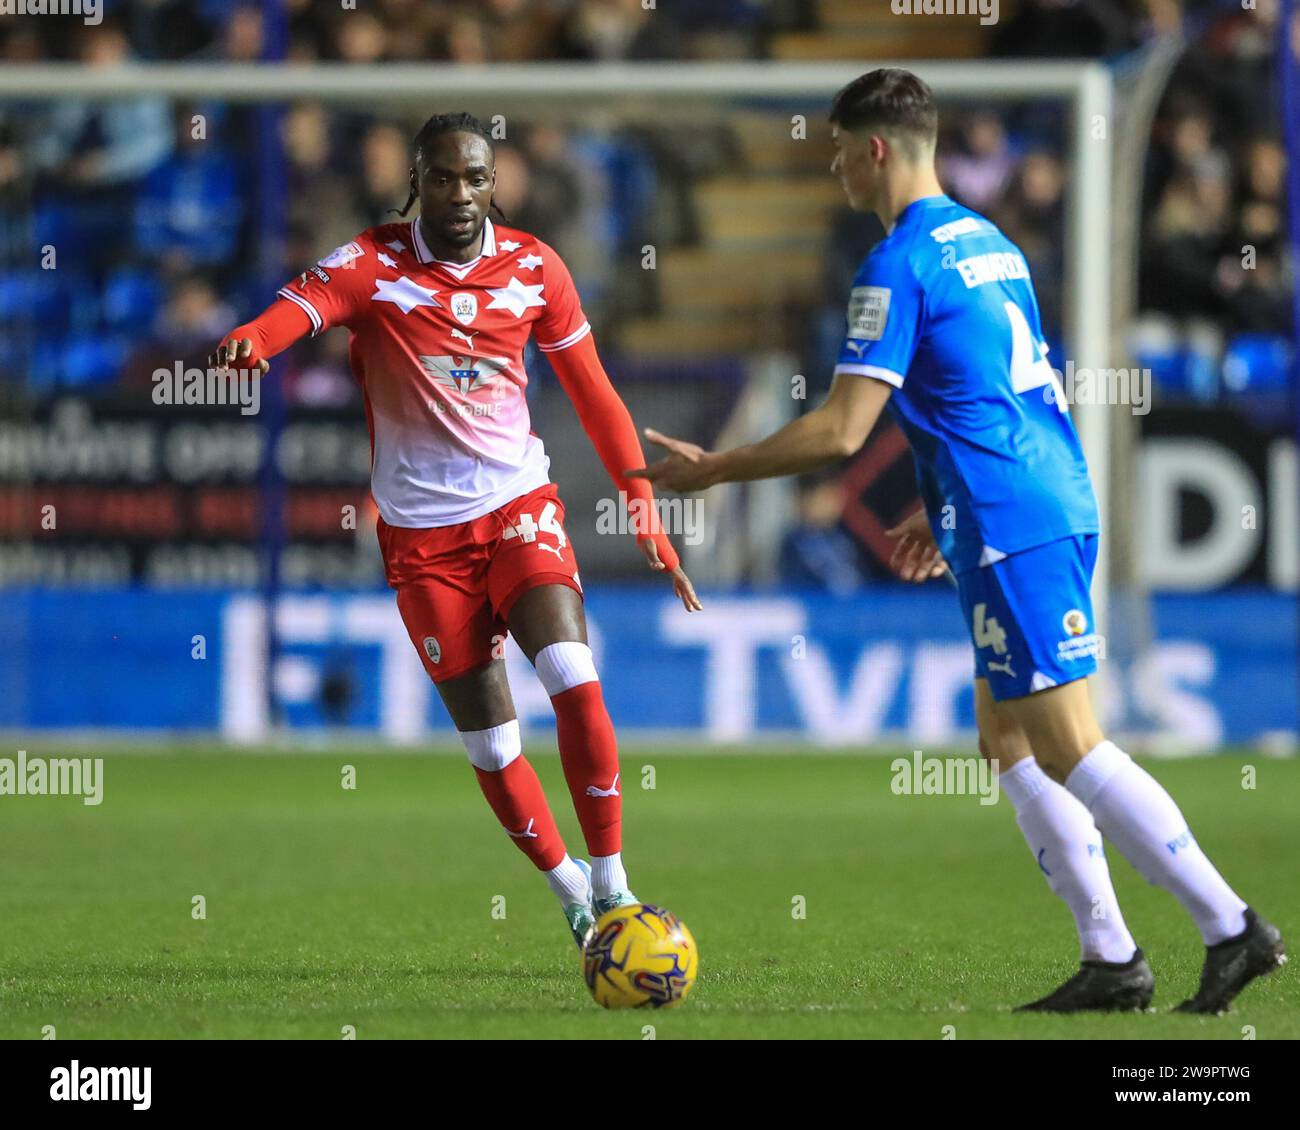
(833, 431)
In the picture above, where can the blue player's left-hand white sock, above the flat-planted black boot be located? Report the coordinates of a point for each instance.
(1068, 847)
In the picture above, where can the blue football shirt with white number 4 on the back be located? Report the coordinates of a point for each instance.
(944, 311)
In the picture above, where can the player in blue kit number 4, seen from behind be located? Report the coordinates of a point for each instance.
(943, 328)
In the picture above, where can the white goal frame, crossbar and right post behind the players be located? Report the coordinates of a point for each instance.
(648, 89)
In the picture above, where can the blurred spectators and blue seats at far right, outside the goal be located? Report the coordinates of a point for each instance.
(1216, 271)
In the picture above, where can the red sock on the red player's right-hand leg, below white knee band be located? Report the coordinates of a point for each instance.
(590, 754)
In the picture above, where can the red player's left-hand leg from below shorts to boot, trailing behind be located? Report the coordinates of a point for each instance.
(484, 713)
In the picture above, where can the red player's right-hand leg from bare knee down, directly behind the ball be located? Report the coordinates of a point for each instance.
(551, 627)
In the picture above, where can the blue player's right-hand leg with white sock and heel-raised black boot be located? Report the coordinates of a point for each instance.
(1142, 820)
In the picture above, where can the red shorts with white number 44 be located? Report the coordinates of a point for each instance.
(457, 585)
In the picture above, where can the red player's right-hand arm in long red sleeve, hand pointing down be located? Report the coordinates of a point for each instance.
(609, 426)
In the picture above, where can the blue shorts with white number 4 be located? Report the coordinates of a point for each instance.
(1030, 617)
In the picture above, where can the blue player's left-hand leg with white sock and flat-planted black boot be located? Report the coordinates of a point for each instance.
(1067, 846)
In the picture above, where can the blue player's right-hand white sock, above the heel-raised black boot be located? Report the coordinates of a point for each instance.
(1137, 815)
